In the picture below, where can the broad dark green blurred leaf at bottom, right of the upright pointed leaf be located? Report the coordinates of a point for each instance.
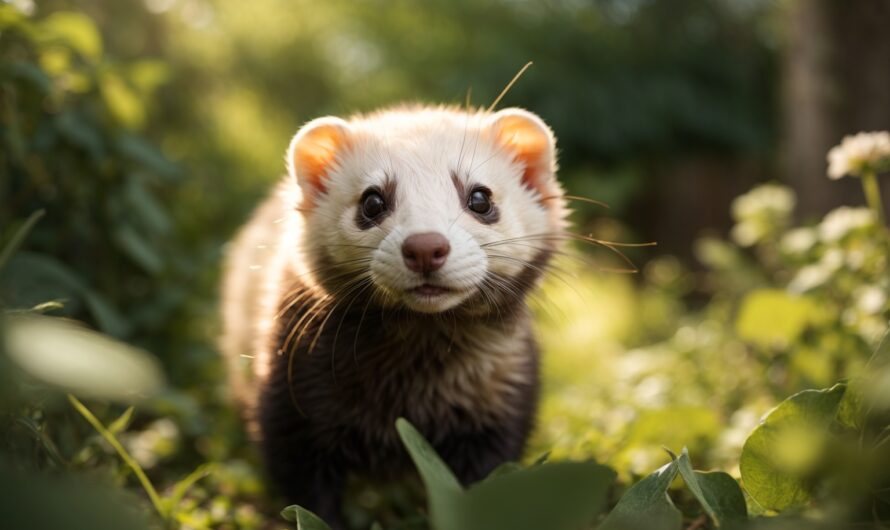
(555, 496)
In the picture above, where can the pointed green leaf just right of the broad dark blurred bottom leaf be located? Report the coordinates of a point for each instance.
(646, 505)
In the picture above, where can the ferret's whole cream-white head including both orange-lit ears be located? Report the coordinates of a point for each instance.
(429, 209)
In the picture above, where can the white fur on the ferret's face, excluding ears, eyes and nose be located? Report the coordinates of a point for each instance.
(417, 152)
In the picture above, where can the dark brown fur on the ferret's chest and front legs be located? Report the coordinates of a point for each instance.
(329, 410)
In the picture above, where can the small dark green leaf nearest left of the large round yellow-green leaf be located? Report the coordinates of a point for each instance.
(718, 493)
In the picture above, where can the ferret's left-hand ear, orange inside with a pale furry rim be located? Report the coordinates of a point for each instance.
(313, 152)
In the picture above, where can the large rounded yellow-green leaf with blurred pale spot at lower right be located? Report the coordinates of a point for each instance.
(780, 460)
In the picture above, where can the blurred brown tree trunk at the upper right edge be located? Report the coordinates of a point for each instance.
(837, 80)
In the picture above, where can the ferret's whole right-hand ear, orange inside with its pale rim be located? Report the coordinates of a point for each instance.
(531, 141)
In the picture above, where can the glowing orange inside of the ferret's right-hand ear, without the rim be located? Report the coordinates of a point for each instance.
(530, 145)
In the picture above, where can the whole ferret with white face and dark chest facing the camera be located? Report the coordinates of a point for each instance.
(387, 277)
